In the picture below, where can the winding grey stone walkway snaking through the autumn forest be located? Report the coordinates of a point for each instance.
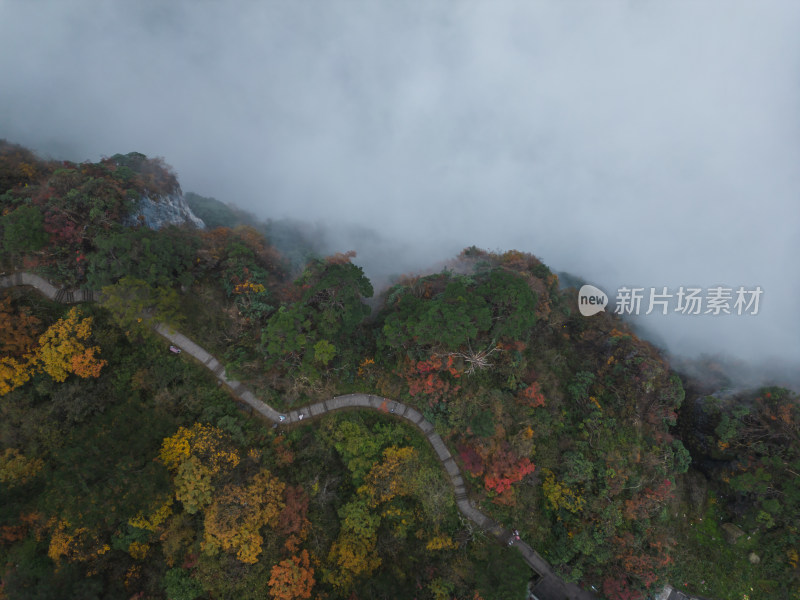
(548, 587)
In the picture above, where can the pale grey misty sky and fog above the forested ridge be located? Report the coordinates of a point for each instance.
(632, 143)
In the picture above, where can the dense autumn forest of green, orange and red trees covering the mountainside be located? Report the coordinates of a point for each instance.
(127, 472)
